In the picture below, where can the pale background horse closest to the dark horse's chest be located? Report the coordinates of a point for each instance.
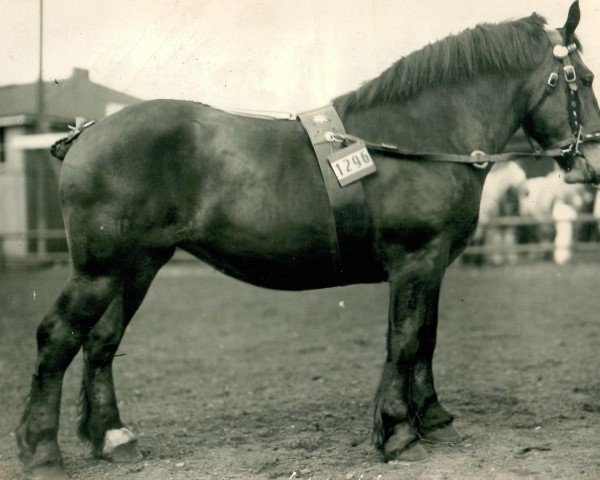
(499, 198)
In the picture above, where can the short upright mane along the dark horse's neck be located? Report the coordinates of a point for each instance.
(487, 48)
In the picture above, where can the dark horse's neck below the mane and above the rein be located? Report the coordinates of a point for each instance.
(479, 115)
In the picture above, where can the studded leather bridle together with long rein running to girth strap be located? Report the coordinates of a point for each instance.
(565, 149)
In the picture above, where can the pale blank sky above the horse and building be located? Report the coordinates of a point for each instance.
(282, 55)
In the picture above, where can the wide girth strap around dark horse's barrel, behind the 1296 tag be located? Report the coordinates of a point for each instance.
(352, 227)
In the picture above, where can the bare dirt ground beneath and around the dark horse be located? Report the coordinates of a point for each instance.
(224, 380)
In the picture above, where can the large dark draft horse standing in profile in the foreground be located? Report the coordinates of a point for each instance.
(246, 195)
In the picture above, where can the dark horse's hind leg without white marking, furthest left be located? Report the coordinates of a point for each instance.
(59, 337)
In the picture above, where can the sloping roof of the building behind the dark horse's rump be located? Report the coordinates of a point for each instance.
(66, 99)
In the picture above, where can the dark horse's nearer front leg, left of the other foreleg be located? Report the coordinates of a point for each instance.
(414, 280)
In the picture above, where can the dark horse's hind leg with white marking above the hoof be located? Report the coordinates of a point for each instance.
(100, 420)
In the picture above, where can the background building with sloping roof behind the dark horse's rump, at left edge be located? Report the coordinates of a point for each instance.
(28, 173)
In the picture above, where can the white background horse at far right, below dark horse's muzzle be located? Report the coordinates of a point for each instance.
(542, 198)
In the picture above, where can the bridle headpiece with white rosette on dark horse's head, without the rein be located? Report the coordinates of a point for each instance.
(569, 146)
